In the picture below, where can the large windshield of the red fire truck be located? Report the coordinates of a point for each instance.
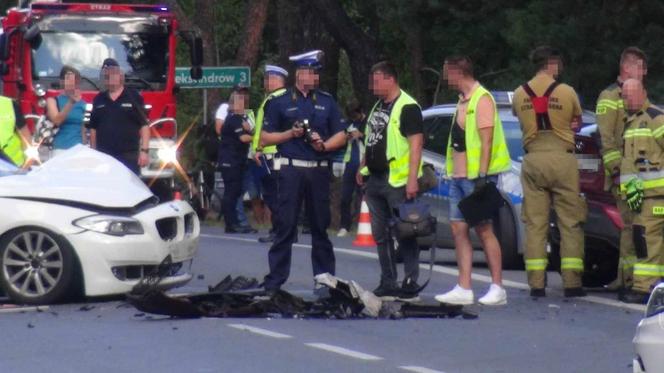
(139, 44)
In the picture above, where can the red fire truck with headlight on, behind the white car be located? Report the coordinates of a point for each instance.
(38, 38)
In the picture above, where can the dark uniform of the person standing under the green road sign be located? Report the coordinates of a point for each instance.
(232, 164)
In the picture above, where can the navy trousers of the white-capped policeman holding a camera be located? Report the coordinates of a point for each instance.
(297, 185)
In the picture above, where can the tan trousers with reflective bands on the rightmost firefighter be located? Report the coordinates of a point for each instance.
(649, 244)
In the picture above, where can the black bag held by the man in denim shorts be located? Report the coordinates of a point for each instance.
(481, 205)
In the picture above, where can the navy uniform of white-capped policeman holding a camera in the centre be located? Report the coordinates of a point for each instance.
(304, 175)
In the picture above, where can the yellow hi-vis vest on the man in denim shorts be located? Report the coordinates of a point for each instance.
(500, 156)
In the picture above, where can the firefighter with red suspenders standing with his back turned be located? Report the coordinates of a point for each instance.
(549, 112)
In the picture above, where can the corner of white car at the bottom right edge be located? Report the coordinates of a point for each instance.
(649, 338)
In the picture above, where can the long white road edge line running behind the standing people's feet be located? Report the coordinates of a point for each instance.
(454, 272)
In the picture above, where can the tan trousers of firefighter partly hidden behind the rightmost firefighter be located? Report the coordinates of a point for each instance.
(627, 254)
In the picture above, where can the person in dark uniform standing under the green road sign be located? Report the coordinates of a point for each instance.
(235, 139)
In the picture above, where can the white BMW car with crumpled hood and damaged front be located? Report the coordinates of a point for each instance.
(82, 223)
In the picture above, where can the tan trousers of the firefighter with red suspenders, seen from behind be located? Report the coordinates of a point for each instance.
(552, 177)
